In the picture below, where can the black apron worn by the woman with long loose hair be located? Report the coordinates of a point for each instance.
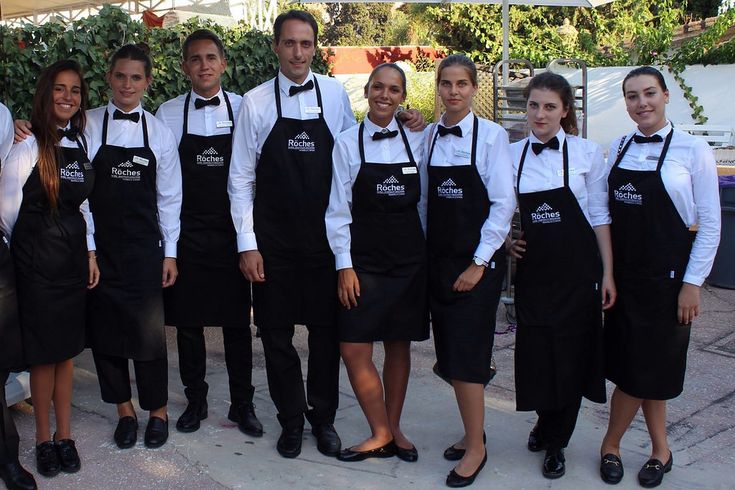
(49, 250)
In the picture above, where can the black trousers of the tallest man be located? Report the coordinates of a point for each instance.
(286, 383)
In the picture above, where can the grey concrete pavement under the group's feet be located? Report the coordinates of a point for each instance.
(701, 429)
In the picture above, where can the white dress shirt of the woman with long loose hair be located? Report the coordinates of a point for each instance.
(16, 169)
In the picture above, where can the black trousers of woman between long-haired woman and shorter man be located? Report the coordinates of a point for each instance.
(114, 377)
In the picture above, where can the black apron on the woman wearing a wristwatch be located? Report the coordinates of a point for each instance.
(463, 322)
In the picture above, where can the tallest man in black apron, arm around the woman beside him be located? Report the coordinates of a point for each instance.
(283, 139)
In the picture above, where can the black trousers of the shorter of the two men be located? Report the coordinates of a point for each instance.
(238, 343)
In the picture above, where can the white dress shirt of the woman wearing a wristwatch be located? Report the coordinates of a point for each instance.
(495, 169)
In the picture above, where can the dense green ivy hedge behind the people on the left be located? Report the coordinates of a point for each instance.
(92, 41)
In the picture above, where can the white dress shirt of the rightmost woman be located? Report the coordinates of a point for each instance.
(689, 174)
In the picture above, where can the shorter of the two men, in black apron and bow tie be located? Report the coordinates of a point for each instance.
(210, 290)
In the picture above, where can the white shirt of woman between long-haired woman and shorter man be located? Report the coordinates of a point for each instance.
(128, 134)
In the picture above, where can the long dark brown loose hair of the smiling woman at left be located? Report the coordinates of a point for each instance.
(44, 124)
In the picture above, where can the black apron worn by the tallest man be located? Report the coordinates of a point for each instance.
(293, 180)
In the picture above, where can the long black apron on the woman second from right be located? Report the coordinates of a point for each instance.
(558, 354)
